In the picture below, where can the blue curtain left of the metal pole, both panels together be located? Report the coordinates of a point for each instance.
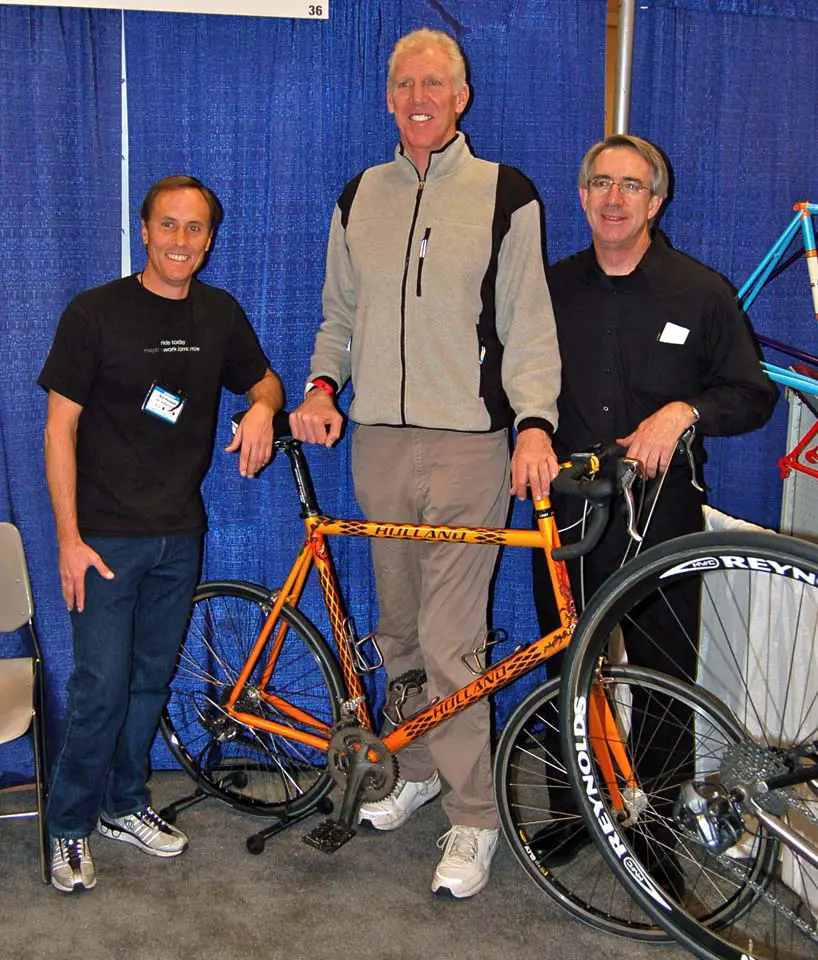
(276, 115)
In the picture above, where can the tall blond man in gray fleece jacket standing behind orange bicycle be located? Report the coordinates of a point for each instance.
(436, 307)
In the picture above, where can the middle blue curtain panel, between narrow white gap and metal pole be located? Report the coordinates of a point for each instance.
(277, 116)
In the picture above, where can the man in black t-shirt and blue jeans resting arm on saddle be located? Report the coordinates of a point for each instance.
(134, 377)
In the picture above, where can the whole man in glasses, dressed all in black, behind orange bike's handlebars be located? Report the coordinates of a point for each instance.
(652, 342)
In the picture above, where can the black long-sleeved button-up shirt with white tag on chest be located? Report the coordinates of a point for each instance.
(670, 330)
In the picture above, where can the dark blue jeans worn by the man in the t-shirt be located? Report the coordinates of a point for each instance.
(125, 646)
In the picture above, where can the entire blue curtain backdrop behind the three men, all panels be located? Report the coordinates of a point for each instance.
(277, 115)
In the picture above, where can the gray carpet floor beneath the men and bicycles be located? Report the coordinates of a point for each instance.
(370, 900)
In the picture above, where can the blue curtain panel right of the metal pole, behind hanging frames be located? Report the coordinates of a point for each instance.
(729, 89)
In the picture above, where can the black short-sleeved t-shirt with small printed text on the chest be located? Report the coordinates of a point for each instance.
(138, 475)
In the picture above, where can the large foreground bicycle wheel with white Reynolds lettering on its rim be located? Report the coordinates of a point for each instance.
(687, 845)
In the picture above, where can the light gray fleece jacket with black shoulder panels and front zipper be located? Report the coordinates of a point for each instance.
(435, 301)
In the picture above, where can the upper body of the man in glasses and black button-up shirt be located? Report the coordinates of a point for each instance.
(651, 340)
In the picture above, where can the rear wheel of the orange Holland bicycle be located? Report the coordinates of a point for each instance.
(252, 770)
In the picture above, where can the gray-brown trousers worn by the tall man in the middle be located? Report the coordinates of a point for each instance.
(433, 596)
